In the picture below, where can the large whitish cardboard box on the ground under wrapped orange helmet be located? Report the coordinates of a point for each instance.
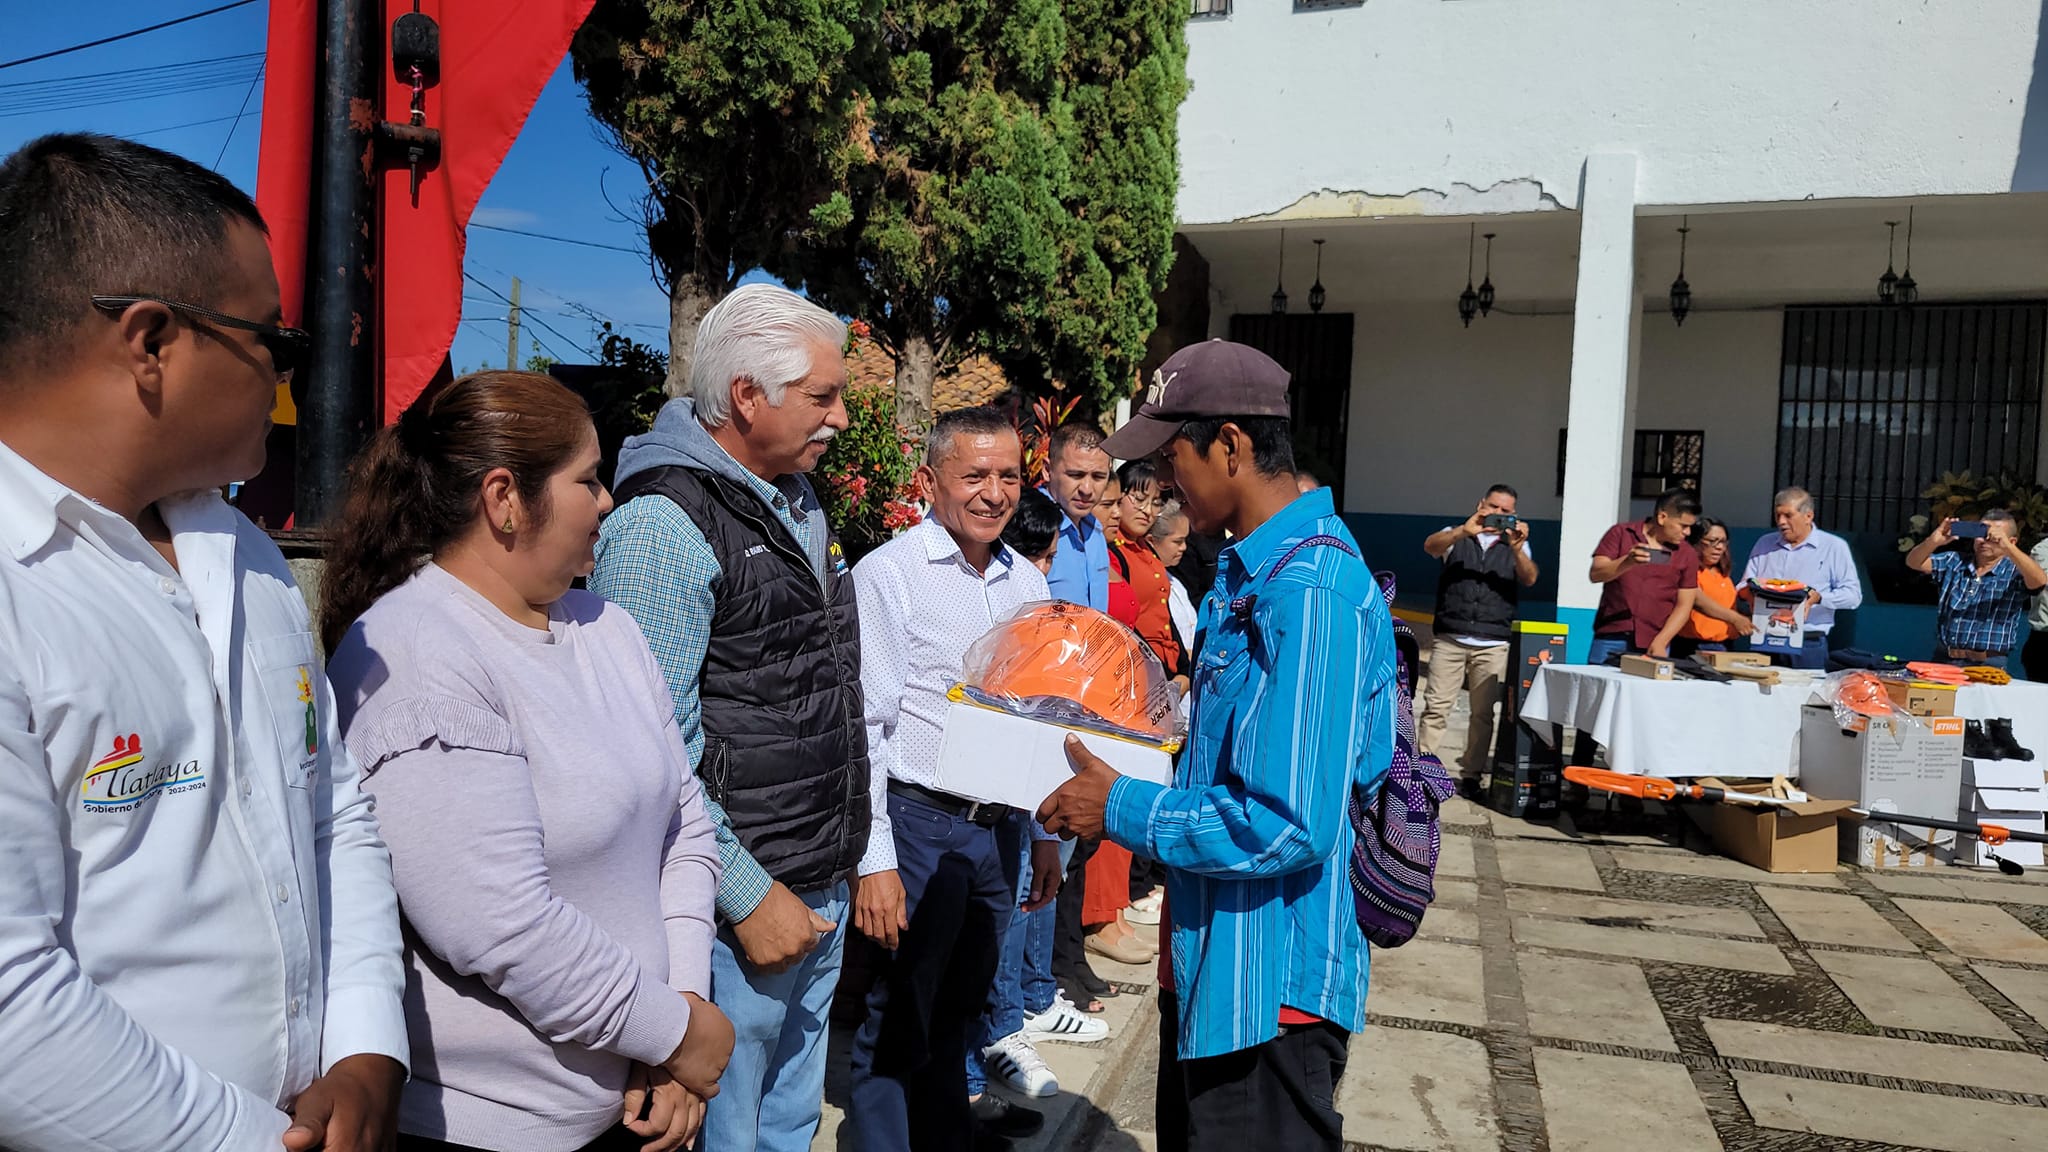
(1883, 766)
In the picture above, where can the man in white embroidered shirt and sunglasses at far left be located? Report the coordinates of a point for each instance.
(200, 940)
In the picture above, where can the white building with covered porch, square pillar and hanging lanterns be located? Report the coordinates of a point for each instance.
(1584, 134)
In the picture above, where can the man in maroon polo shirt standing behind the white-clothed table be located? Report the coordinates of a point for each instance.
(1650, 579)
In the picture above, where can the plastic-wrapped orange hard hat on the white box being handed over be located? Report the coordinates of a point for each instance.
(1058, 661)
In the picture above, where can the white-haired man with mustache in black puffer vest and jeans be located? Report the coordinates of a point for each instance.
(722, 552)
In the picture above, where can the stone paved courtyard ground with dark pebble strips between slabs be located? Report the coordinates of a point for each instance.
(1580, 991)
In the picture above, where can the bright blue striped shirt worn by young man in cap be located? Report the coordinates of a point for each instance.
(1254, 831)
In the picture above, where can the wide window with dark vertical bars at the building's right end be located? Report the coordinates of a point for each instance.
(1875, 403)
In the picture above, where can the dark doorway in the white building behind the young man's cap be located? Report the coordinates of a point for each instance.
(1318, 354)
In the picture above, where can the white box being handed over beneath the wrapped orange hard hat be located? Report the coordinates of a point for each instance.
(996, 757)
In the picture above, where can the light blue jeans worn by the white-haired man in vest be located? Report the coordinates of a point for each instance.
(773, 1092)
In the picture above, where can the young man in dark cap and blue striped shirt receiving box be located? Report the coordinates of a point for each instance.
(1293, 708)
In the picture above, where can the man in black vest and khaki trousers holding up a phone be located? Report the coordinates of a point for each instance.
(1486, 567)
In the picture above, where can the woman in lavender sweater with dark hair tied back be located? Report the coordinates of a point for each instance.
(554, 858)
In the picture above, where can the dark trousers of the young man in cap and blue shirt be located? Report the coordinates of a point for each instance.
(1281, 1094)
